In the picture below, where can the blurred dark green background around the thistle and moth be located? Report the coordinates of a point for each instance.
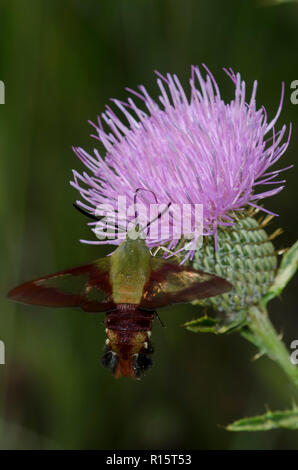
(61, 61)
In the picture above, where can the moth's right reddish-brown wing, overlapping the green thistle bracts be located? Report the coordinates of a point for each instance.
(170, 283)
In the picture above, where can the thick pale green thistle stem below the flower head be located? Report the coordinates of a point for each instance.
(262, 333)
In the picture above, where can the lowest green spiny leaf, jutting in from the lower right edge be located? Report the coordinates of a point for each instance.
(271, 420)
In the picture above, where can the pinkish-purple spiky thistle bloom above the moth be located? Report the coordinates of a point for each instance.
(197, 150)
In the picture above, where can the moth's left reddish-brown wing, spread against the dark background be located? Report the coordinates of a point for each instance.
(86, 286)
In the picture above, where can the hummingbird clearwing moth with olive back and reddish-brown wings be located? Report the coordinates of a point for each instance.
(129, 285)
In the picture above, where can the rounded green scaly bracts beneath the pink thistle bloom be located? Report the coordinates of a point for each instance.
(245, 257)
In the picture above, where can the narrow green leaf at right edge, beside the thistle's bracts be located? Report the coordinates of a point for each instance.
(286, 271)
